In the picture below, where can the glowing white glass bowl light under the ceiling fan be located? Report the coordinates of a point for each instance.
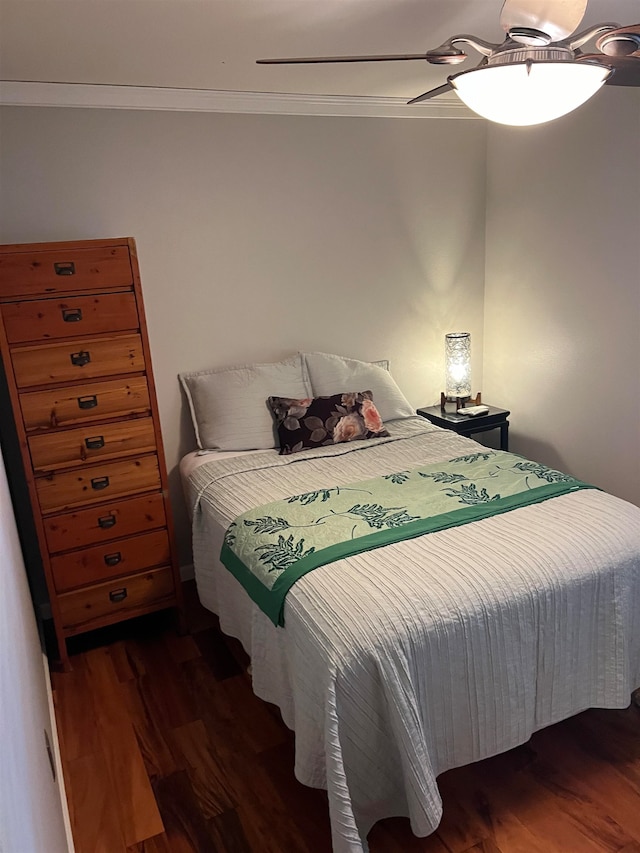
(529, 92)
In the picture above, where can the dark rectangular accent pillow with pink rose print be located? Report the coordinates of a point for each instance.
(320, 421)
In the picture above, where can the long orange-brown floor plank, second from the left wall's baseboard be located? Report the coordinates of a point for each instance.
(135, 804)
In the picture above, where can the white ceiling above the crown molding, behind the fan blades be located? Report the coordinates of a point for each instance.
(213, 44)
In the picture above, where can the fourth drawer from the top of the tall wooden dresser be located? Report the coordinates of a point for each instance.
(92, 401)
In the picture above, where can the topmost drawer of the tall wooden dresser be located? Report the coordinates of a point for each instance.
(64, 270)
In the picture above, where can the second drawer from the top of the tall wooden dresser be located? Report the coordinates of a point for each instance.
(42, 319)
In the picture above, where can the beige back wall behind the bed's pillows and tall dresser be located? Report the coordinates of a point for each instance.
(261, 235)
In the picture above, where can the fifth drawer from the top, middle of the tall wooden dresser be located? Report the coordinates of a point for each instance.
(88, 444)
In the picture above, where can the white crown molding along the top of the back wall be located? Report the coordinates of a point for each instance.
(97, 96)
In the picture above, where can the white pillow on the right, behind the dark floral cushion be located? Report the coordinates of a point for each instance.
(333, 374)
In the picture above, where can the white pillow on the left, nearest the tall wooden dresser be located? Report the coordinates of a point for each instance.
(229, 405)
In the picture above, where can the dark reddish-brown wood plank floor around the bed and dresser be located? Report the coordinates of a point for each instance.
(165, 749)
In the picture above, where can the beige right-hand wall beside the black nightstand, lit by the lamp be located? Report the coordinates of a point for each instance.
(562, 291)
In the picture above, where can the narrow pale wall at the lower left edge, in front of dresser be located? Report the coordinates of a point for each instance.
(31, 811)
